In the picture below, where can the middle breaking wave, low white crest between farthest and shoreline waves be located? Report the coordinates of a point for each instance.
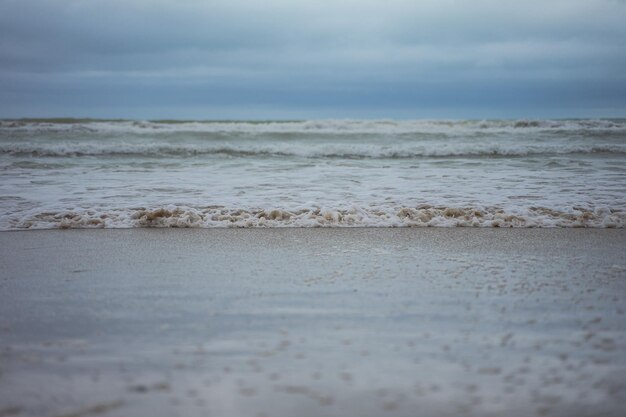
(306, 150)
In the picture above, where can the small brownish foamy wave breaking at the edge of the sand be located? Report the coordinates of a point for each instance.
(418, 216)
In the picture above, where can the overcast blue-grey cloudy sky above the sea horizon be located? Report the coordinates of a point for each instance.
(301, 59)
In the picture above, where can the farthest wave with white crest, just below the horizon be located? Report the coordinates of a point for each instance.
(312, 126)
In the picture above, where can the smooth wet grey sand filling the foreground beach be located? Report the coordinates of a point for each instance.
(313, 322)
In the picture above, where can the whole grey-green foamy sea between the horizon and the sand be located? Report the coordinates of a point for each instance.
(333, 173)
